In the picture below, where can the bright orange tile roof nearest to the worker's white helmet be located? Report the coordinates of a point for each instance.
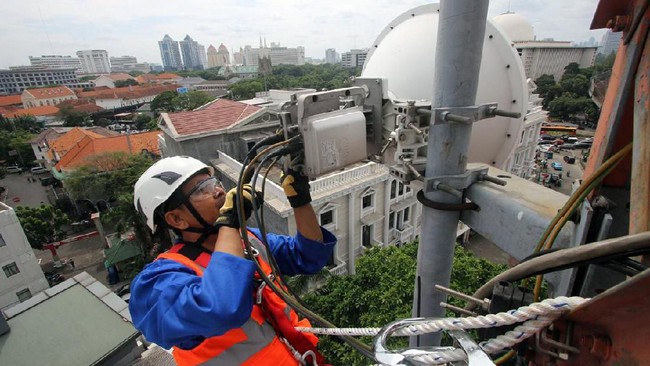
(83, 152)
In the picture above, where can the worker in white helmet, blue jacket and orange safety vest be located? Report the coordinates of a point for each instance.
(203, 297)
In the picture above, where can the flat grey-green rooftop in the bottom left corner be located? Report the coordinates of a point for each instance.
(48, 329)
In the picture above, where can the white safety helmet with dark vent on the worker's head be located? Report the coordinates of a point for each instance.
(158, 183)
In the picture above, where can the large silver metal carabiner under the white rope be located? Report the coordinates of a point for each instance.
(407, 357)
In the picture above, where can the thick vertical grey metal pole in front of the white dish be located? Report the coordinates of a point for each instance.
(461, 29)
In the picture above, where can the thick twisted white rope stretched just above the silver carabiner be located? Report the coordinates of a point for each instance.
(533, 311)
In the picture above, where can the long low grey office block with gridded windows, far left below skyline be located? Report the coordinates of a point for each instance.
(18, 79)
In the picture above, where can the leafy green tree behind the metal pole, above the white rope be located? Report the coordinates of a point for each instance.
(382, 291)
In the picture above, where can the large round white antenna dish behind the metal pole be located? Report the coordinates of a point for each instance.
(404, 54)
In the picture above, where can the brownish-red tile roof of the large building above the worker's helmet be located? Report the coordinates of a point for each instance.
(220, 114)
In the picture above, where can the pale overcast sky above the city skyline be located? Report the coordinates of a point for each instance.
(134, 27)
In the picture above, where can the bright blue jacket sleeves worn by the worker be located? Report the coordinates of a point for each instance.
(172, 306)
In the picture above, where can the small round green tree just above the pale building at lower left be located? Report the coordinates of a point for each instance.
(42, 225)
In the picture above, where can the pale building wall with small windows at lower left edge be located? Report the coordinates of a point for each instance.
(21, 275)
